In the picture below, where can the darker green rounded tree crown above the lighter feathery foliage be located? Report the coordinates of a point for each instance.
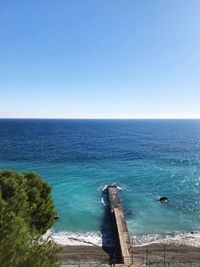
(29, 197)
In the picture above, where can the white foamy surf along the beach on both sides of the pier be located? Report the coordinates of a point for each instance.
(95, 239)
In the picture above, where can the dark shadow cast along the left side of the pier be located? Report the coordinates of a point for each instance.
(110, 238)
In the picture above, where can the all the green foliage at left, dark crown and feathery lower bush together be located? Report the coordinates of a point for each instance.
(26, 211)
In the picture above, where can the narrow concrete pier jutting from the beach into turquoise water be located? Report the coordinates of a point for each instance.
(119, 225)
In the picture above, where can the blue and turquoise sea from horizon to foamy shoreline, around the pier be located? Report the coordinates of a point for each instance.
(146, 159)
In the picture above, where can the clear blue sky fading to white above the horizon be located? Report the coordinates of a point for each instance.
(100, 58)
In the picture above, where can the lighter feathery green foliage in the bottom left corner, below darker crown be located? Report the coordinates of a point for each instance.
(21, 248)
